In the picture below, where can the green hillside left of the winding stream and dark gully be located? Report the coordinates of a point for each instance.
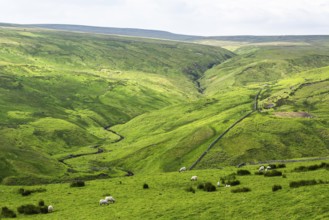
(60, 90)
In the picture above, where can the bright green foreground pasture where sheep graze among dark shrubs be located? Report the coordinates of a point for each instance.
(167, 197)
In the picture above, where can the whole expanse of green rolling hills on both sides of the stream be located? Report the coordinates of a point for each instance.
(84, 105)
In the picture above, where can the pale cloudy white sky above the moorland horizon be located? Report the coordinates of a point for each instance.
(192, 17)
